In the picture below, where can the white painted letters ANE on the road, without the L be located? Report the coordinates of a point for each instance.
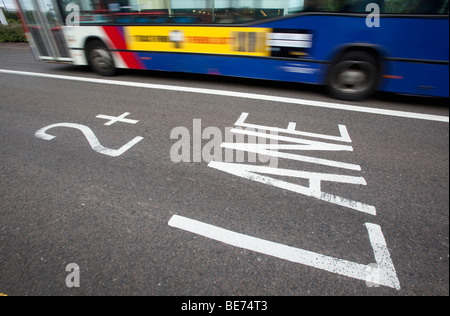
(314, 188)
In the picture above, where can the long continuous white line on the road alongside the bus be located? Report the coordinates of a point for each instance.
(319, 104)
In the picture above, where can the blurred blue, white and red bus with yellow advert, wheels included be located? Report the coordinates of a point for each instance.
(354, 47)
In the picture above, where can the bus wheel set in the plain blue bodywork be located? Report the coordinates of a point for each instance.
(353, 77)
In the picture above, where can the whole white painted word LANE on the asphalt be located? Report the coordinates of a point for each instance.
(268, 142)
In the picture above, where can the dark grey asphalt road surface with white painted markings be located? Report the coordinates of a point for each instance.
(349, 199)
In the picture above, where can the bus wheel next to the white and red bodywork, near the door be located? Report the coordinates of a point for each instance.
(100, 58)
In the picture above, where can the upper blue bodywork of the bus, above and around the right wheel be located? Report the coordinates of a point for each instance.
(398, 37)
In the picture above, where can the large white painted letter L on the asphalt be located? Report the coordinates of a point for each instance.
(384, 274)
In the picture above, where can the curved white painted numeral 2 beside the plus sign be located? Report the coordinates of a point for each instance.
(90, 136)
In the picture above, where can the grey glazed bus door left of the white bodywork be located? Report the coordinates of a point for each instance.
(43, 23)
